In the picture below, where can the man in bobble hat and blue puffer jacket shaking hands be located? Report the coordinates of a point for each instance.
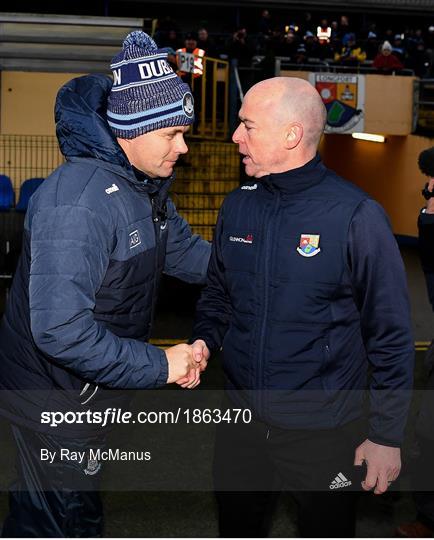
(98, 235)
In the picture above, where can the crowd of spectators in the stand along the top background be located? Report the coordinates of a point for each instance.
(327, 42)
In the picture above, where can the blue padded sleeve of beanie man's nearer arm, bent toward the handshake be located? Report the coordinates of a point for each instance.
(70, 247)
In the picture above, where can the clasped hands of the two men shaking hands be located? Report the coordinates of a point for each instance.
(186, 362)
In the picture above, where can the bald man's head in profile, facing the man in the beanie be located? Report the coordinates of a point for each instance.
(281, 123)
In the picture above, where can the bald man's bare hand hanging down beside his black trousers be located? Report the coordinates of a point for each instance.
(383, 465)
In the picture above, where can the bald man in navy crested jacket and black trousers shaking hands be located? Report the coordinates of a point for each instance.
(307, 296)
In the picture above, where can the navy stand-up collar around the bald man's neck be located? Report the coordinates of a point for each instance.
(295, 180)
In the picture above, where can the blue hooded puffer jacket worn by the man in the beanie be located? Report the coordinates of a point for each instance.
(96, 241)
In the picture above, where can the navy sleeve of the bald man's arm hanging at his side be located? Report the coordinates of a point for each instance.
(380, 289)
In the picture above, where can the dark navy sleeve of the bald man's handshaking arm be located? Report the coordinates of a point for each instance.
(214, 309)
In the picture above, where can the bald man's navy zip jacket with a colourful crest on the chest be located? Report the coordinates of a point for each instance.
(306, 289)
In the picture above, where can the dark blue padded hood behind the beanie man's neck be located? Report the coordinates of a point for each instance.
(81, 126)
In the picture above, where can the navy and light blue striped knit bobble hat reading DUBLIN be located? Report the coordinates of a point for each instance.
(146, 94)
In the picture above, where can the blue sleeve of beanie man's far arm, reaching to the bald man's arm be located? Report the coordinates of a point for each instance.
(187, 254)
